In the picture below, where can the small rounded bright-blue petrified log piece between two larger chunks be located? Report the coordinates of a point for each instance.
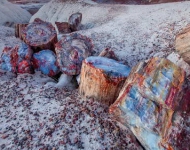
(45, 61)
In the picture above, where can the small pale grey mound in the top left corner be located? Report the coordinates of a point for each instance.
(10, 14)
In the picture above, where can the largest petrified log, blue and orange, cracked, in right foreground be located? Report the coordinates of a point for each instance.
(148, 99)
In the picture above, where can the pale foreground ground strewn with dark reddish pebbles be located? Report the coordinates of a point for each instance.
(34, 115)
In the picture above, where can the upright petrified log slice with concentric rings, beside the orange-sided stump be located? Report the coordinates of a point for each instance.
(71, 51)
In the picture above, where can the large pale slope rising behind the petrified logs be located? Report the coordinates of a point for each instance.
(134, 32)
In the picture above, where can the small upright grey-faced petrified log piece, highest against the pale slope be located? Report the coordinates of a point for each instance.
(75, 21)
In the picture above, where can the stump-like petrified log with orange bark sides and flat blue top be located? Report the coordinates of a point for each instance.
(102, 78)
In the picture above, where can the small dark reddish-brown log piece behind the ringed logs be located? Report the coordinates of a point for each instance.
(63, 27)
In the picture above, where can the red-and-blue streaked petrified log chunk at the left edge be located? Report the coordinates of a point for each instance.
(17, 59)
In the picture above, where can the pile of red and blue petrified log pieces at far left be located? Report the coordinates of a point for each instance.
(40, 38)
